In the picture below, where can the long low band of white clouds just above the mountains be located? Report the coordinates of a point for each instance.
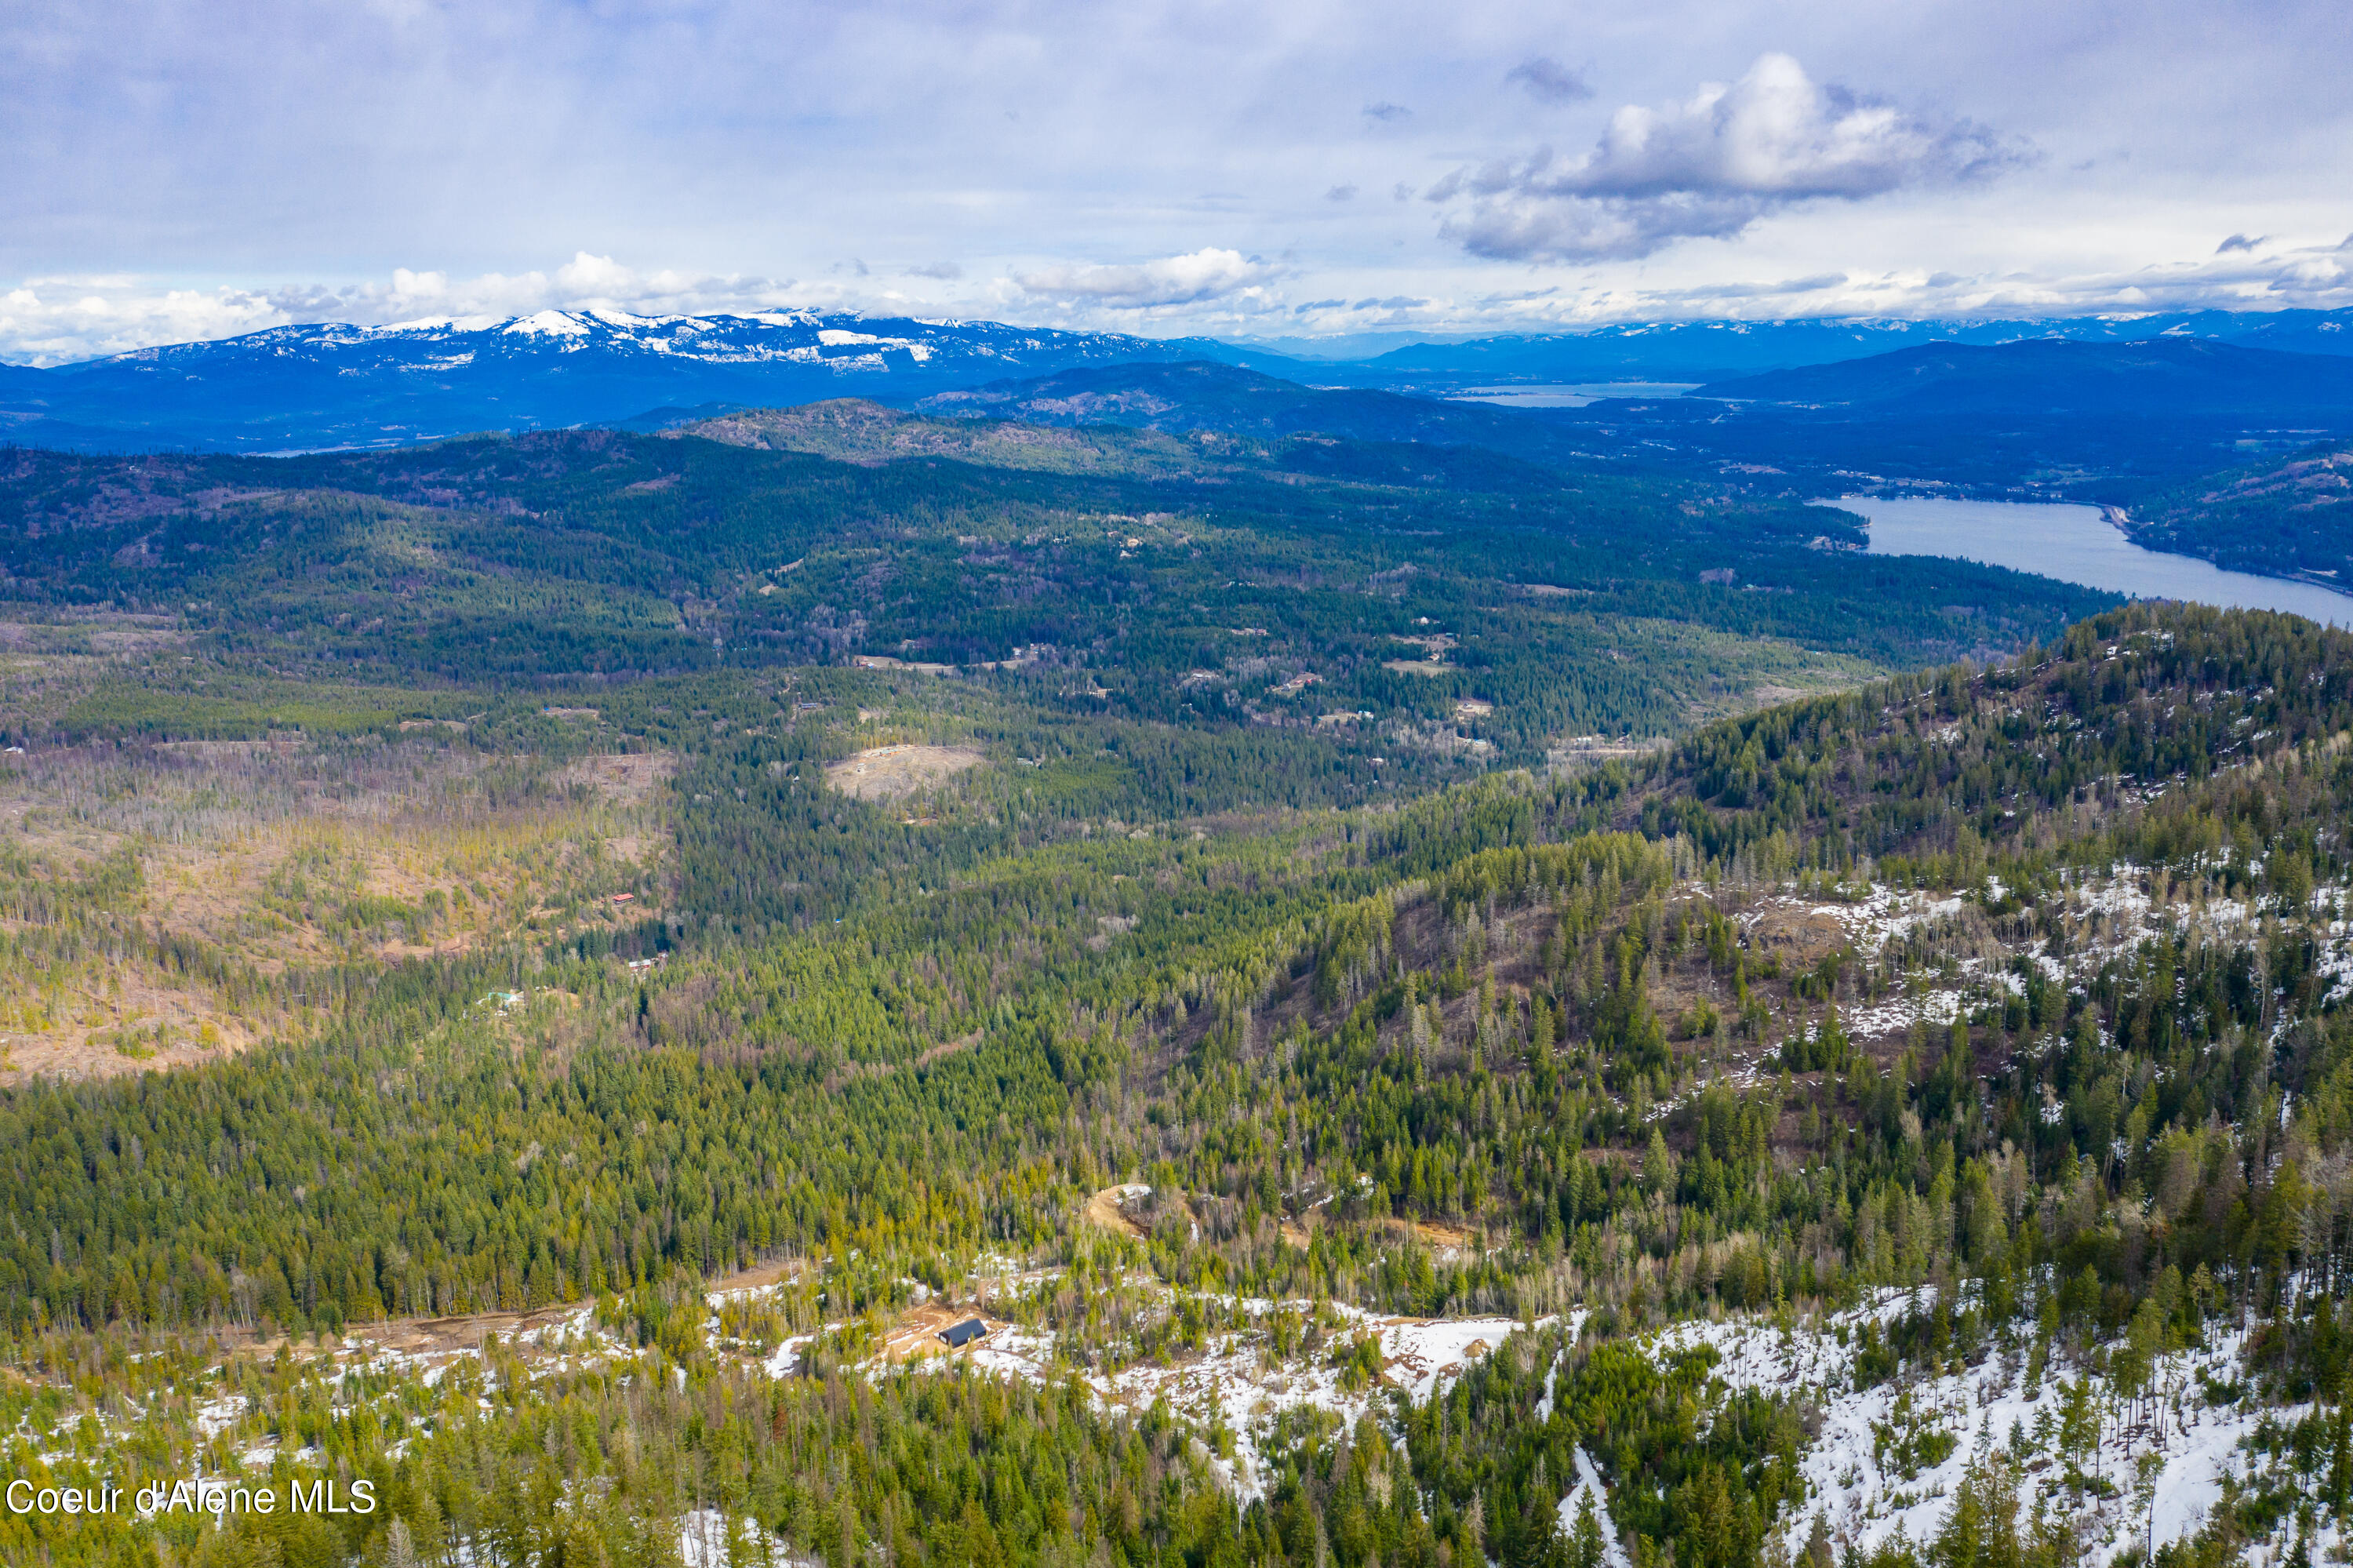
(51, 321)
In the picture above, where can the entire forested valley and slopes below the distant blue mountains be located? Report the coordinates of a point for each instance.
(1432, 1006)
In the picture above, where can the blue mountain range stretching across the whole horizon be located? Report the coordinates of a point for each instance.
(352, 387)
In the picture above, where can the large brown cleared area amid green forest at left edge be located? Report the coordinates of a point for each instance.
(281, 858)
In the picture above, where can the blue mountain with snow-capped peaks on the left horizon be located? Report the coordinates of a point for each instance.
(342, 385)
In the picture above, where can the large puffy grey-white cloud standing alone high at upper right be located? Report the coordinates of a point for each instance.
(1709, 168)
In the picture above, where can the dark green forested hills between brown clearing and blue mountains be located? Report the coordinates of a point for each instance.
(599, 557)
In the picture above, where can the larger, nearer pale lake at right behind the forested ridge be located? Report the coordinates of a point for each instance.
(2079, 545)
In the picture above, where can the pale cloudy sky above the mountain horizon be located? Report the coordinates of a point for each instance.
(1314, 168)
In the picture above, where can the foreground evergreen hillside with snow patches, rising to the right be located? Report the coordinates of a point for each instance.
(1973, 1042)
